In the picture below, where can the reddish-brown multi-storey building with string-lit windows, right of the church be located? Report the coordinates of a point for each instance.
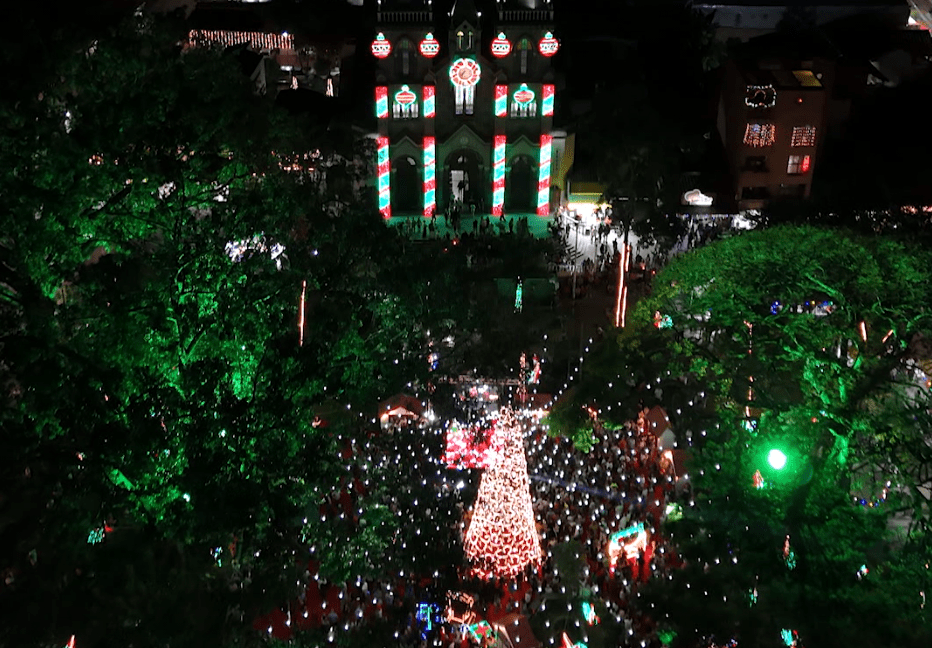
(788, 97)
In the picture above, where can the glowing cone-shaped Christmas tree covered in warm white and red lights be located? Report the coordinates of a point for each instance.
(502, 537)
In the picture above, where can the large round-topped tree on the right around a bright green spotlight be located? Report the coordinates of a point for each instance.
(804, 341)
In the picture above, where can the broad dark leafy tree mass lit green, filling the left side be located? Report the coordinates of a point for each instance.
(154, 384)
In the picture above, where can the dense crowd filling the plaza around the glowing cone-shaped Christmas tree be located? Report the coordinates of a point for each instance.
(580, 500)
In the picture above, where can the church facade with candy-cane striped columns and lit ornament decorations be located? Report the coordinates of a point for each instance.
(464, 100)
